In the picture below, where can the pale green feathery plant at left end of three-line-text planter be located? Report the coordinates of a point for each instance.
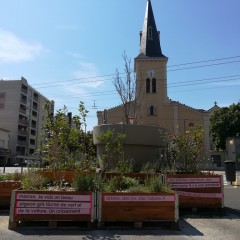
(32, 180)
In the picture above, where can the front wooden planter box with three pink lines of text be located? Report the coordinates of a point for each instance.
(51, 206)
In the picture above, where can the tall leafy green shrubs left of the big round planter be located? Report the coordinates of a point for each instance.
(64, 144)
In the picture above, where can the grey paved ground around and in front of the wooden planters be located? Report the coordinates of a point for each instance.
(196, 227)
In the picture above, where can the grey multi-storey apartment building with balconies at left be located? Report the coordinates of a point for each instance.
(22, 113)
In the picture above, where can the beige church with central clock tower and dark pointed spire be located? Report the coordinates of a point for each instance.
(150, 67)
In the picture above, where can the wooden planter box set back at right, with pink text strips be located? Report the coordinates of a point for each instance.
(198, 191)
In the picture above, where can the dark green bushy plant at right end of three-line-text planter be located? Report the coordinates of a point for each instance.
(84, 183)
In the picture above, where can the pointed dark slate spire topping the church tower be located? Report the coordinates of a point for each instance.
(149, 37)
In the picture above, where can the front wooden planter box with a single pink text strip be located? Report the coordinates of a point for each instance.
(138, 207)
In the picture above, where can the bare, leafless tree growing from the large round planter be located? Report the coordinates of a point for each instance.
(126, 88)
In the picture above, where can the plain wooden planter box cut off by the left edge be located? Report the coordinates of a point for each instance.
(6, 188)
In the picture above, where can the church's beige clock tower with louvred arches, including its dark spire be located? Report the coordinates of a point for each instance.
(150, 66)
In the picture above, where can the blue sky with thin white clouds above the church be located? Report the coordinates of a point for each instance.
(69, 50)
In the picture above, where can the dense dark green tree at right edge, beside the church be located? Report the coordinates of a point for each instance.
(224, 123)
